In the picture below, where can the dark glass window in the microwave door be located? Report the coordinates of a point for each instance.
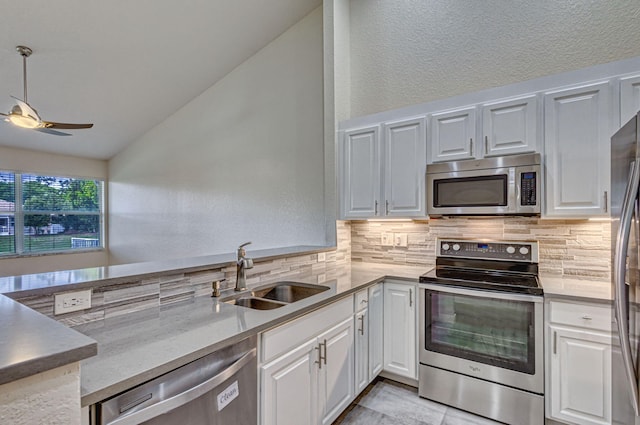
(482, 191)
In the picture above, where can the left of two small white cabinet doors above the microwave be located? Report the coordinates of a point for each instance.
(453, 135)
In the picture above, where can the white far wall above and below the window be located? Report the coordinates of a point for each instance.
(12, 159)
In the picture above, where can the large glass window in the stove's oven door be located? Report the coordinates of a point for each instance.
(493, 331)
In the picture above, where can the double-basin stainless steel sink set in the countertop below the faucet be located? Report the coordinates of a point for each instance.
(276, 295)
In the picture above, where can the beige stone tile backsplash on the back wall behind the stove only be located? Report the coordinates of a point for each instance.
(568, 248)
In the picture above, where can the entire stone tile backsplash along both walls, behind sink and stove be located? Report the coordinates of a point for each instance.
(567, 248)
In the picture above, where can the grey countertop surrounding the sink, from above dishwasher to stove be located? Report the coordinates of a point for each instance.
(140, 346)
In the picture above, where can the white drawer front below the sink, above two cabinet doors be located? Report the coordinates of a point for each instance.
(279, 340)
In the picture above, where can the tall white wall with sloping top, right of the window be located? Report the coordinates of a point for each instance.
(241, 162)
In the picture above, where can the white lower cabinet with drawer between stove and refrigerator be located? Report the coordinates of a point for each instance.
(579, 363)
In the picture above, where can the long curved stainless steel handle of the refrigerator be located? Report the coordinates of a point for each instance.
(619, 272)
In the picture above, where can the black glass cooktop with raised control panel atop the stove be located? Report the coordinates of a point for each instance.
(496, 266)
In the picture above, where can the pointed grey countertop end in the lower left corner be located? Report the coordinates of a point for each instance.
(32, 343)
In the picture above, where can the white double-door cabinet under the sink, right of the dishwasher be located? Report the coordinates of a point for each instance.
(306, 367)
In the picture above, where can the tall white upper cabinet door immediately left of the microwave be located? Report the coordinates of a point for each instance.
(405, 153)
